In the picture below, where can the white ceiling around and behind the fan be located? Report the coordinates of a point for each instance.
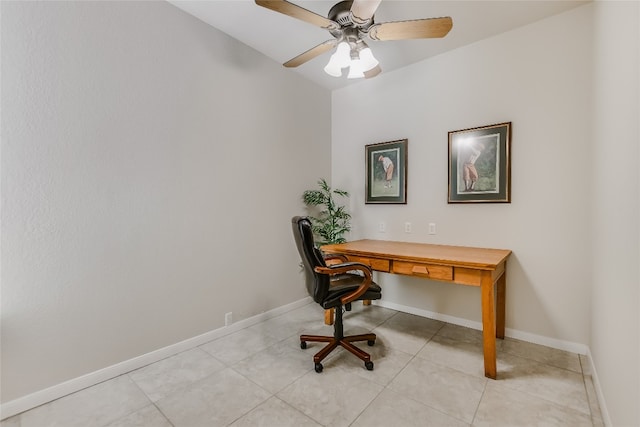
(281, 37)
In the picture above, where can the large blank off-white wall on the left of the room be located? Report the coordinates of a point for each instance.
(150, 168)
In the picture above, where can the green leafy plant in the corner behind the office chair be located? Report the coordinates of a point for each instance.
(332, 221)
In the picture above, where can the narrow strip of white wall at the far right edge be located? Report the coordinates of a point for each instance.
(615, 336)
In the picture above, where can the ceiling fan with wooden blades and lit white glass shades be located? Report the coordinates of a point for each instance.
(350, 22)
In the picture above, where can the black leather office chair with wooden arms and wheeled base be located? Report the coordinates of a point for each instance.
(333, 286)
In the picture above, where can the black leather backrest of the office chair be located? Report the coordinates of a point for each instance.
(317, 284)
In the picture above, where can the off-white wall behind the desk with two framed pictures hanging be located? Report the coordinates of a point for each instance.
(537, 77)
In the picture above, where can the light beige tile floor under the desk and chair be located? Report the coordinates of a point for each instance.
(427, 373)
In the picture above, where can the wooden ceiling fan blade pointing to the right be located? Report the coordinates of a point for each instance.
(415, 29)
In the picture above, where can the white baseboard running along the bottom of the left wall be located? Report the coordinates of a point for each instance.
(41, 397)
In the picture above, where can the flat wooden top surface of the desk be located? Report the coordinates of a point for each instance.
(423, 252)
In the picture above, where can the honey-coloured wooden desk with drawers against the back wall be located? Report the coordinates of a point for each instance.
(456, 264)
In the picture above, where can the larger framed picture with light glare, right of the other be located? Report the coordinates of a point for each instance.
(479, 164)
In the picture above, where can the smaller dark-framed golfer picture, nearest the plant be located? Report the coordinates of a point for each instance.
(386, 180)
